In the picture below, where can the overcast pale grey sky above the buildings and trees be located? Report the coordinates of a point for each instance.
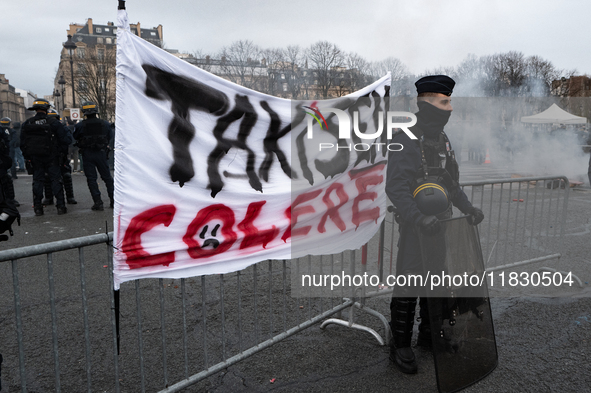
(423, 34)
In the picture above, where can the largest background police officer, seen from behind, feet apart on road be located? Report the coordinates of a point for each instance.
(42, 140)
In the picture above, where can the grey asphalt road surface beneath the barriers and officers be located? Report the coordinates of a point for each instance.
(544, 344)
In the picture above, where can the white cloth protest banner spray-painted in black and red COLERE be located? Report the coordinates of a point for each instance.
(211, 177)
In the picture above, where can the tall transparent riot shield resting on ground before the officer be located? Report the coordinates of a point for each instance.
(464, 346)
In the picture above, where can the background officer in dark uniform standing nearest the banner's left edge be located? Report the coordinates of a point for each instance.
(93, 136)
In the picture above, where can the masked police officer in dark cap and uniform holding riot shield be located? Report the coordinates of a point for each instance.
(408, 173)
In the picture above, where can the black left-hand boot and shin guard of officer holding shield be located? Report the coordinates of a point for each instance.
(403, 314)
